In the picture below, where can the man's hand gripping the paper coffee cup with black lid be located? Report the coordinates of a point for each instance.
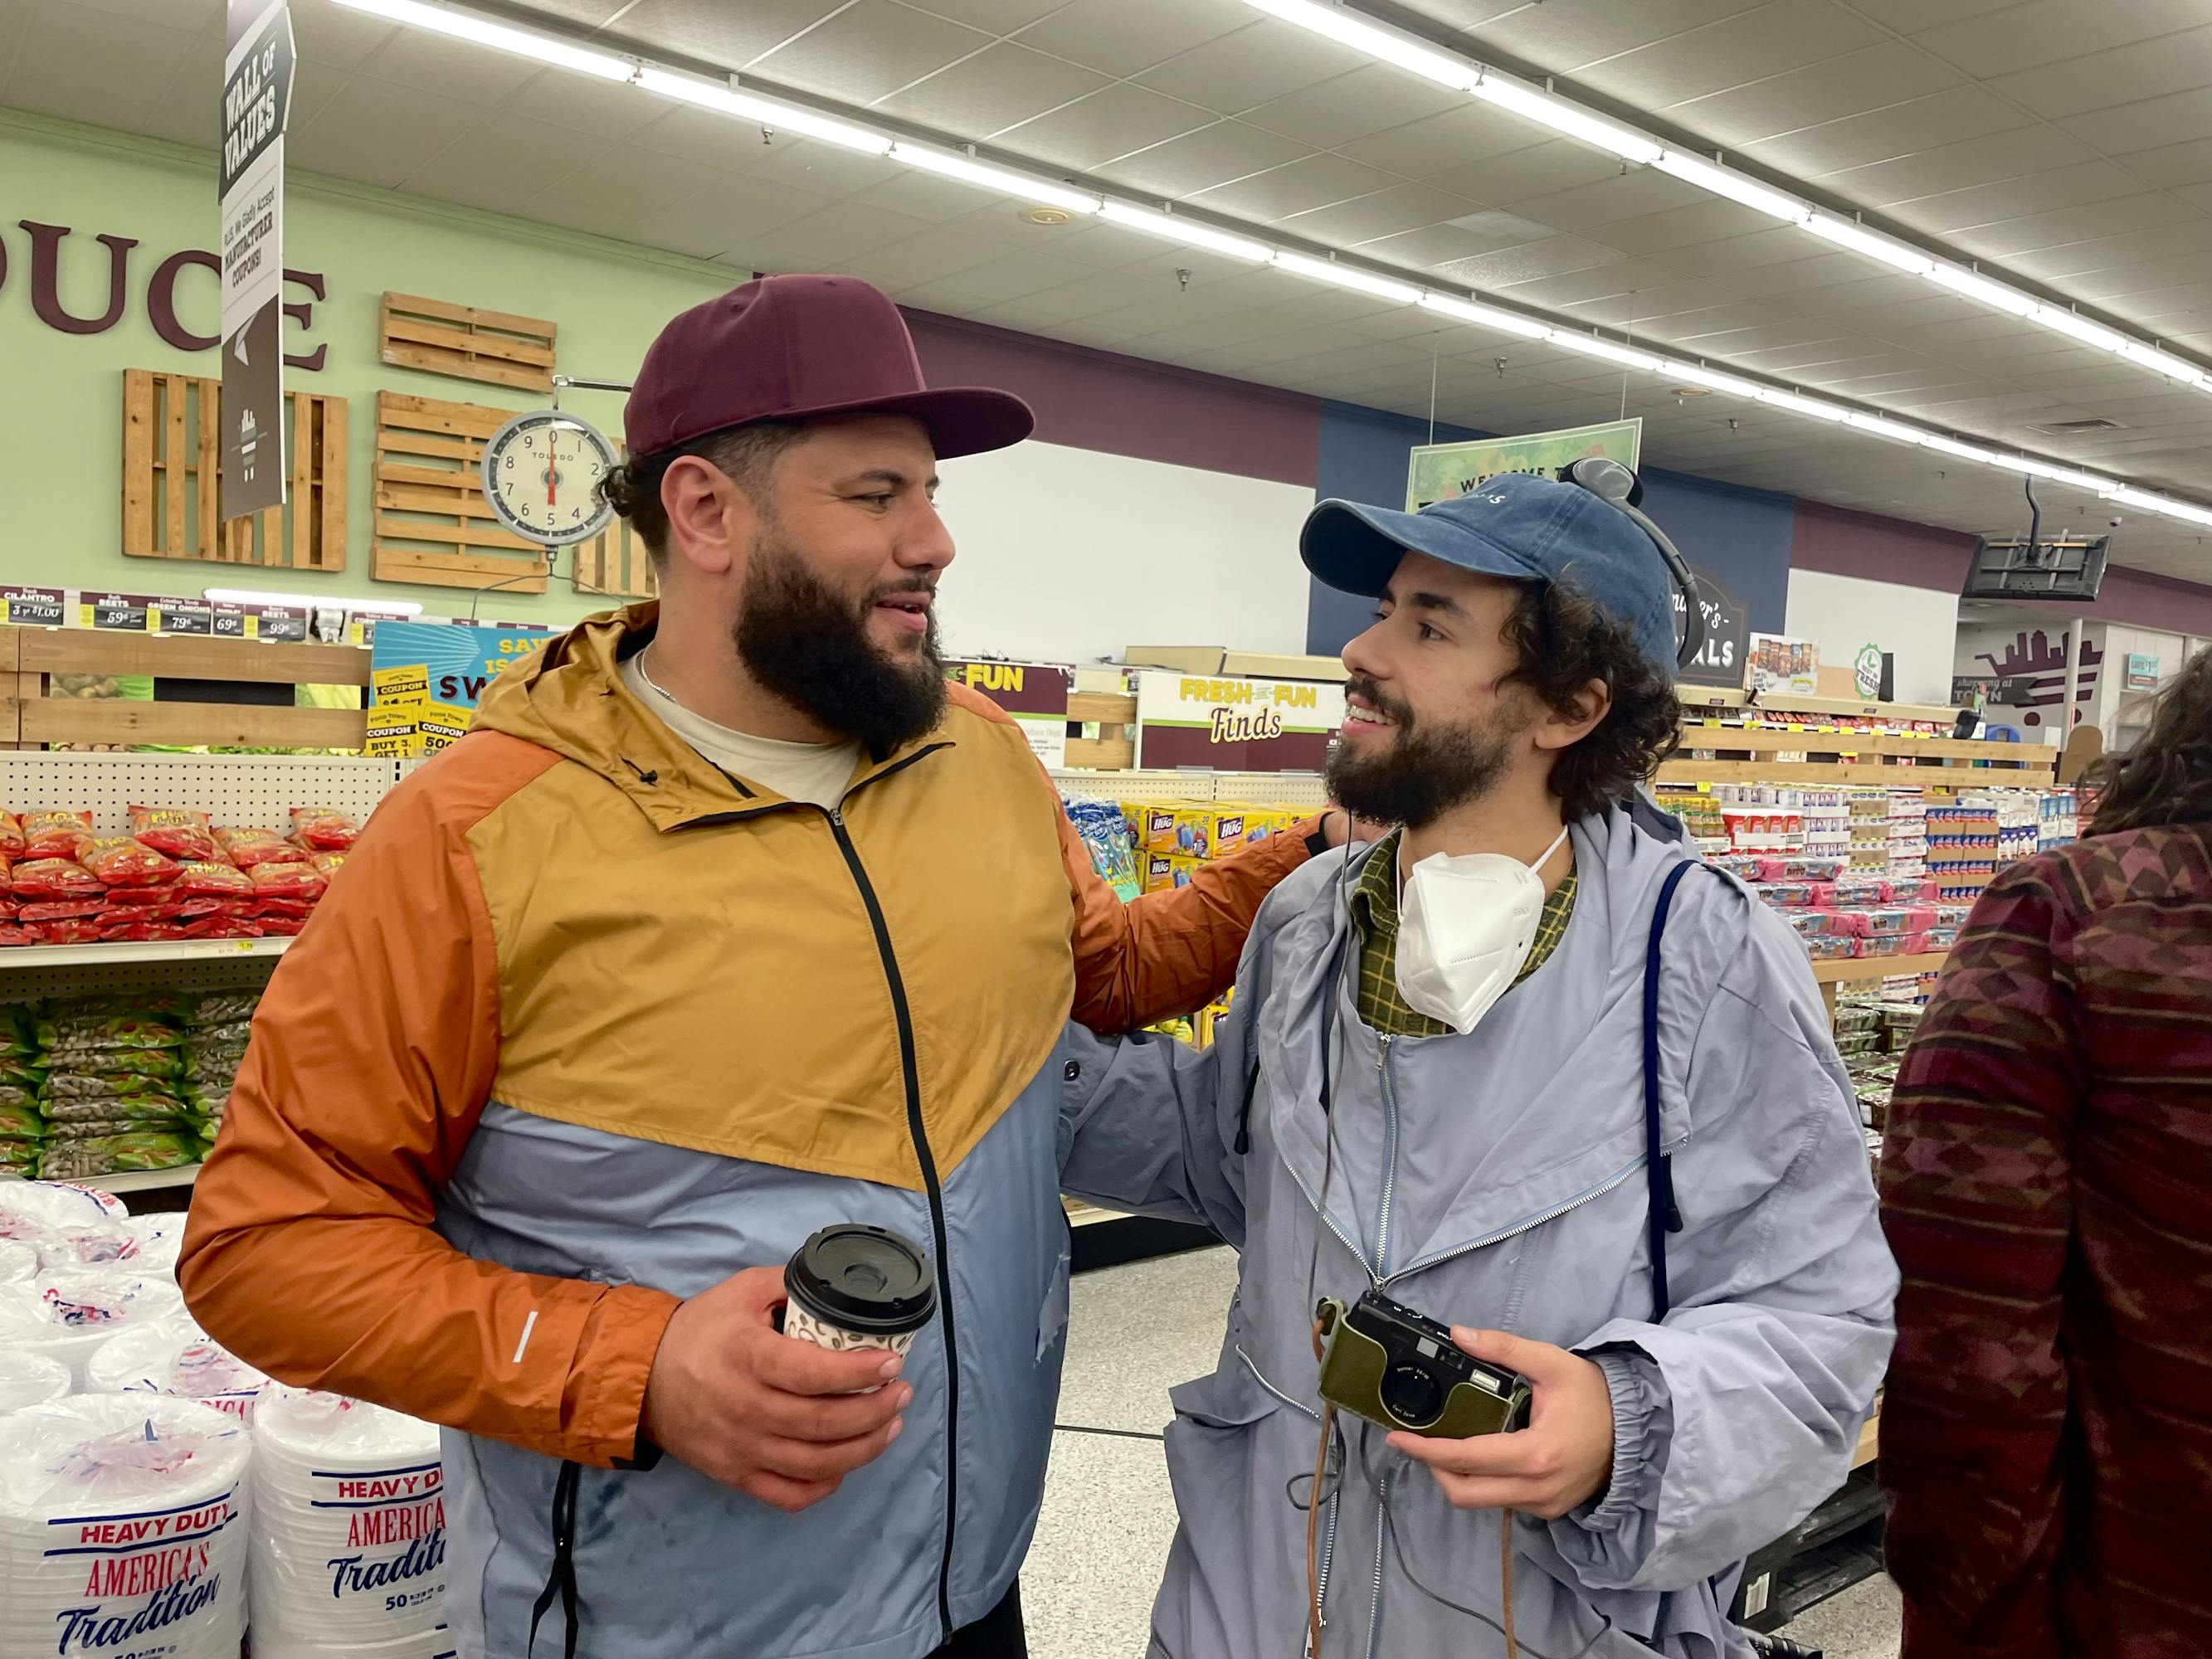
(755, 1410)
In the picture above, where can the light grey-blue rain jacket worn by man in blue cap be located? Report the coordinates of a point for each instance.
(1499, 1180)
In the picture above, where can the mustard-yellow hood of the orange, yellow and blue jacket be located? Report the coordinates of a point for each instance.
(570, 698)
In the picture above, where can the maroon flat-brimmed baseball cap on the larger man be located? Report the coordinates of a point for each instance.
(795, 348)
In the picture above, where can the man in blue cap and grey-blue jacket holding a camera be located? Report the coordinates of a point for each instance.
(1532, 1074)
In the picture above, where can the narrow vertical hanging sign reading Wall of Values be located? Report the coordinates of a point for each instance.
(258, 96)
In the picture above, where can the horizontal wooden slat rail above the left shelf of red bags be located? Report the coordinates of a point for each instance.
(32, 716)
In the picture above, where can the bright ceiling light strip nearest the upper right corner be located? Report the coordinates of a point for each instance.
(1350, 28)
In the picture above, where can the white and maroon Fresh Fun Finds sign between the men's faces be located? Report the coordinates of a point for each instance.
(1235, 724)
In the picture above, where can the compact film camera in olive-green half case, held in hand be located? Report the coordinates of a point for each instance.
(1404, 1370)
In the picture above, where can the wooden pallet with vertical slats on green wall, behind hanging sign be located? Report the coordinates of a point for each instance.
(174, 479)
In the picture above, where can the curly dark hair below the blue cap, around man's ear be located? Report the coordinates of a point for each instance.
(1565, 643)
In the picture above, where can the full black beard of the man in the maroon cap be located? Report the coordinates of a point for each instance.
(808, 645)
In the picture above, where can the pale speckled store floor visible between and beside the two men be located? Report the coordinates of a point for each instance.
(1107, 1507)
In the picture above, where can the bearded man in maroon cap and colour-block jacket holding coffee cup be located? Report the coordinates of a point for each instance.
(729, 924)
